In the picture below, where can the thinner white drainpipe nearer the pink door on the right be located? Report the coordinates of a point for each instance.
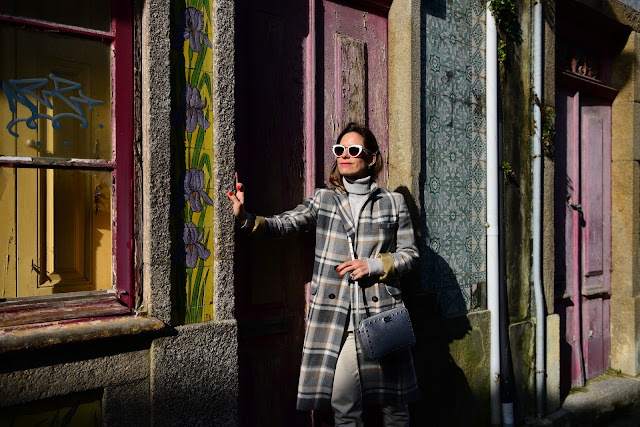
(536, 217)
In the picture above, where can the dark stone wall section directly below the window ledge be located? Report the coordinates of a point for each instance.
(110, 366)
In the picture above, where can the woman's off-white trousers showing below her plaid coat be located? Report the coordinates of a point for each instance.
(346, 396)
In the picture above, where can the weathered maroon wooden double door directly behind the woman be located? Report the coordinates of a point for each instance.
(293, 58)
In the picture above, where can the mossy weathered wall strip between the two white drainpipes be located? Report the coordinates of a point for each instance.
(516, 140)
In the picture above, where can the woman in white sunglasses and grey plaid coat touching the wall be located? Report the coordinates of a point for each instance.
(333, 369)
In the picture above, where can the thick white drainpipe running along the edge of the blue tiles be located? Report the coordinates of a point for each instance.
(493, 264)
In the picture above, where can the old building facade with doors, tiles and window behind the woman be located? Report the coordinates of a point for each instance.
(131, 298)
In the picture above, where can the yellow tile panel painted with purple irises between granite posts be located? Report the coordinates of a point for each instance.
(192, 154)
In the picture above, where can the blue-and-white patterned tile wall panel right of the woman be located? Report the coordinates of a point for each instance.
(453, 177)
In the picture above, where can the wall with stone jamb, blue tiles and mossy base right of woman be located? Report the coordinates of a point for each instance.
(447, 177)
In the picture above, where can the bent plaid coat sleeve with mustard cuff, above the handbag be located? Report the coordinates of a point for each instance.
(406, 256)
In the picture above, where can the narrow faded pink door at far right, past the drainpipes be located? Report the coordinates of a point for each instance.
(583, 232)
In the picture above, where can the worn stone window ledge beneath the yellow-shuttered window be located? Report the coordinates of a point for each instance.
(42, 335)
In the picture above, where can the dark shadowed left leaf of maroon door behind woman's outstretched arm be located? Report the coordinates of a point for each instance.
(270, 151)
